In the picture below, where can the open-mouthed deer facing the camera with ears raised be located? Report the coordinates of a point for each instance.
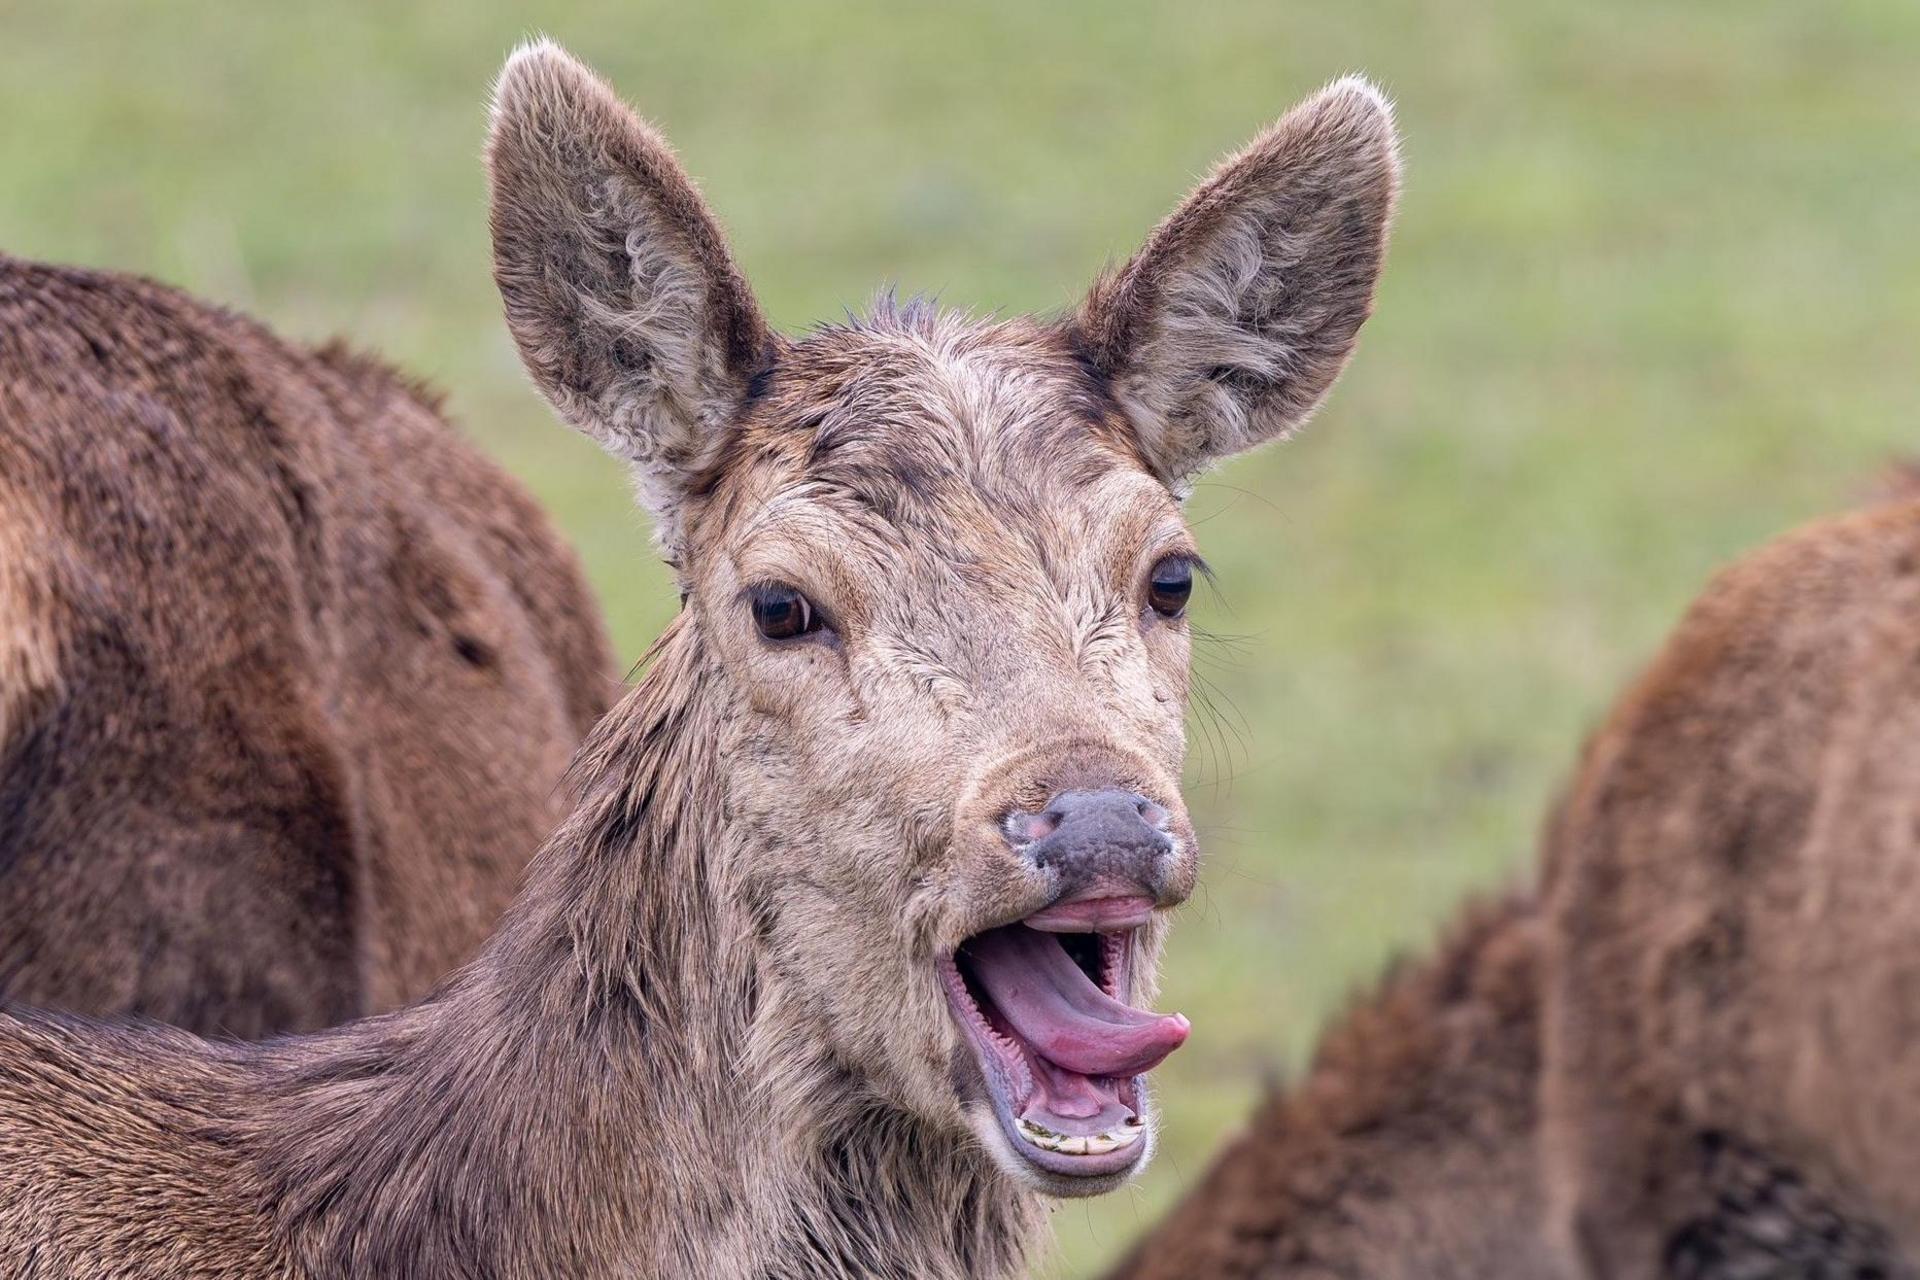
(844, 960)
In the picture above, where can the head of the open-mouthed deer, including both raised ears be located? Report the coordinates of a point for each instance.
(944, 573)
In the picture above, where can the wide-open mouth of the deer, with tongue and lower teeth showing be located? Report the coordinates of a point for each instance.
(1063, 1053)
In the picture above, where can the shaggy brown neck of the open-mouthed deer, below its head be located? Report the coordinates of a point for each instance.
(596, 1097)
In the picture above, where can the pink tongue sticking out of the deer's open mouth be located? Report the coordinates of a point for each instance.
(1059, 1010)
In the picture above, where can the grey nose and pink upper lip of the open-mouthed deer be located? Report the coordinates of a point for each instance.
(1111, 849)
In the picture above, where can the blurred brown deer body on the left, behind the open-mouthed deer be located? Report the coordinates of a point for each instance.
(289, 673)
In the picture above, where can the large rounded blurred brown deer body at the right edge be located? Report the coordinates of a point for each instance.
(1733, 1016)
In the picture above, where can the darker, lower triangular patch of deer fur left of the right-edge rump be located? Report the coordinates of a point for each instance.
(1406, 1152)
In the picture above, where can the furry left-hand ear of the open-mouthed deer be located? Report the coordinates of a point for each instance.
(619, 285)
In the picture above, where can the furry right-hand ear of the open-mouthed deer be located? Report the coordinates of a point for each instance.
(1232, 325)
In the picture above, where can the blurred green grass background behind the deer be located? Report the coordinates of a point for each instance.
(1654, 296)
